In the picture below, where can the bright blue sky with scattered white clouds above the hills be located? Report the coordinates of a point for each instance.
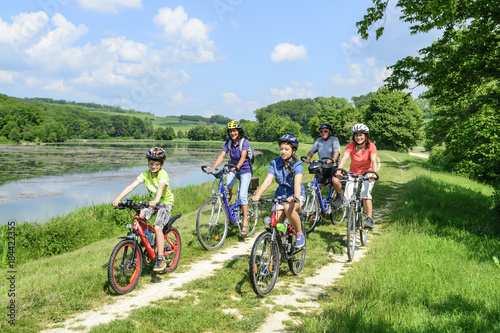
(168, 57)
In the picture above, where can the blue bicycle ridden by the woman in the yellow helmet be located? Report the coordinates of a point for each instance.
(216, 216)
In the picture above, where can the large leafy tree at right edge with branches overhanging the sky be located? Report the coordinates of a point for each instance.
(461, 70)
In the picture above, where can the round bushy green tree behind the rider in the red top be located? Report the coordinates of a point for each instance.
(394, 119)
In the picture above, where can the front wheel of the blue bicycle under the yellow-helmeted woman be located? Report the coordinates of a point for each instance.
(211, 224)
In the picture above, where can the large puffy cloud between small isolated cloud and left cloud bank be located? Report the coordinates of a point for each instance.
(187, 39)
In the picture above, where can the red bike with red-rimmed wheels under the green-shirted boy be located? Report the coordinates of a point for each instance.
(138, 247)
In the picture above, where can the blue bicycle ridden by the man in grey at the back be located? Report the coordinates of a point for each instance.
(315, 205)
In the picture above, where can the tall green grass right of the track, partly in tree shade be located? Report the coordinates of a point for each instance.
(434, 268)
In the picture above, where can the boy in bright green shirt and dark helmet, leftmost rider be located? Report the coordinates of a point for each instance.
(157, 182)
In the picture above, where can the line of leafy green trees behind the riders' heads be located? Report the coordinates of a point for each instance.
(395, 117)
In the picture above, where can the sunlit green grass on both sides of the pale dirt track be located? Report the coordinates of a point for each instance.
(432, 266)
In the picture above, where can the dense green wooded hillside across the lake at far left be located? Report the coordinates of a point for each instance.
(57, 123)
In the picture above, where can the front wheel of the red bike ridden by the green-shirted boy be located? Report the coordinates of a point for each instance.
(124, 267)
